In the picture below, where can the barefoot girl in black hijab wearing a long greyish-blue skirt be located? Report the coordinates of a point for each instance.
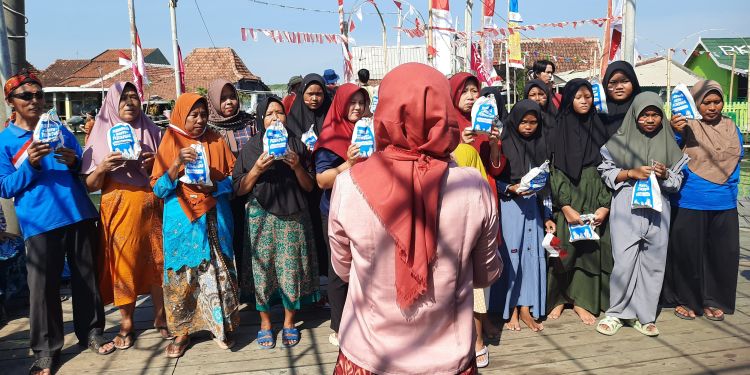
(525, 277)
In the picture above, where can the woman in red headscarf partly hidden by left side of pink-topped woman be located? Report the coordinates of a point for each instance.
(334, 153)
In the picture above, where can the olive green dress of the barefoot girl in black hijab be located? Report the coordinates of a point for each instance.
(581, 277)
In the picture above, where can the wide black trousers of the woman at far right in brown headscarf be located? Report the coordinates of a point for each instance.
(702, 260)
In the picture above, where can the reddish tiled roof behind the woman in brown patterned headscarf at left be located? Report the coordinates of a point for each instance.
(203, 65)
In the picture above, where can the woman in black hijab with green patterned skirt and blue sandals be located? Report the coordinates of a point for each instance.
(282, 262)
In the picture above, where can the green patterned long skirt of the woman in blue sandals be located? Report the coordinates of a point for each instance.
(283, 264)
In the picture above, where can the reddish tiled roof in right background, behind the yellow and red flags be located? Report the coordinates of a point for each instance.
(567, 53)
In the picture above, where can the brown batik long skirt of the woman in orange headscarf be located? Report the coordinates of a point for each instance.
(203, 298)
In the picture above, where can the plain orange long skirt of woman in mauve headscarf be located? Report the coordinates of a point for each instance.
(131, 258)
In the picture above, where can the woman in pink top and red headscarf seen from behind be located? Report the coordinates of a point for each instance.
(401, 237)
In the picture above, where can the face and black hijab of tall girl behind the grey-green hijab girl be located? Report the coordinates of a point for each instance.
(621, 85)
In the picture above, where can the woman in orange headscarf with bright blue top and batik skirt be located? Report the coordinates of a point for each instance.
(200, 282)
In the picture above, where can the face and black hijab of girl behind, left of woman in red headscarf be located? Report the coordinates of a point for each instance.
(310, 106)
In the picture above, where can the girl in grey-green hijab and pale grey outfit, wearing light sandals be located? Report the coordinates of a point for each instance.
(644, 144)
